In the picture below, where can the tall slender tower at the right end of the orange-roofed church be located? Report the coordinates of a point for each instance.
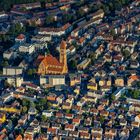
(63, 56)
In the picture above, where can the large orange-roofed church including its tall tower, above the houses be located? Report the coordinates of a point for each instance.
(50, 65)
